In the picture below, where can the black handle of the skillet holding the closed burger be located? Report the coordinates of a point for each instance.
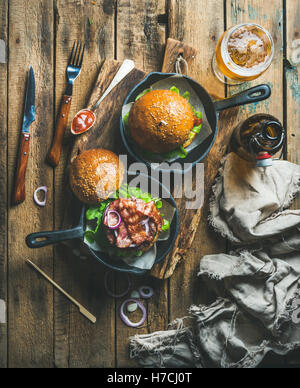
(255, 94)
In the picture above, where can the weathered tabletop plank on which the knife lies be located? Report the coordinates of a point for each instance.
(30, 297)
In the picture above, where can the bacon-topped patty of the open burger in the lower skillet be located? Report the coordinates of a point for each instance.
(141, 223)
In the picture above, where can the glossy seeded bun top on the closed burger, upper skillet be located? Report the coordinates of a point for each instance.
(160, 121)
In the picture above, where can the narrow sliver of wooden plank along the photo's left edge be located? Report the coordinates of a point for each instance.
(3, 189)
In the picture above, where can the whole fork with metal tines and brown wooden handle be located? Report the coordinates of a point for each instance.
(73, 71)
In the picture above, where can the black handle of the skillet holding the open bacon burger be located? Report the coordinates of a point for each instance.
(42, 239)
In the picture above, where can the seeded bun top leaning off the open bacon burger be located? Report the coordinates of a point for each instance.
(95, 174)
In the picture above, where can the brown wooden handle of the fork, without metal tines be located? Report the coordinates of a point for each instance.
(55, 151)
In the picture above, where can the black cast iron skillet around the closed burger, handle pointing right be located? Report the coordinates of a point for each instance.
(212, 111)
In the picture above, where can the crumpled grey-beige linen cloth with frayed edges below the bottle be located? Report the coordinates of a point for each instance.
(256, 285)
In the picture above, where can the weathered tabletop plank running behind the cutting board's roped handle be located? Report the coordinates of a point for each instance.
(183, 18)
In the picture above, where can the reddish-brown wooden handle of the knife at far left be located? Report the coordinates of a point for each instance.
(19, 189)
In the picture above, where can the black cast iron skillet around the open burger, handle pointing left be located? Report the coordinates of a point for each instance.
(42, 239)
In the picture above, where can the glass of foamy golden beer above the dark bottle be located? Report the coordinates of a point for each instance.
(243, 53)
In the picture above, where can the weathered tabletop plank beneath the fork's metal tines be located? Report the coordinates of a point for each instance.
(77, 342)
